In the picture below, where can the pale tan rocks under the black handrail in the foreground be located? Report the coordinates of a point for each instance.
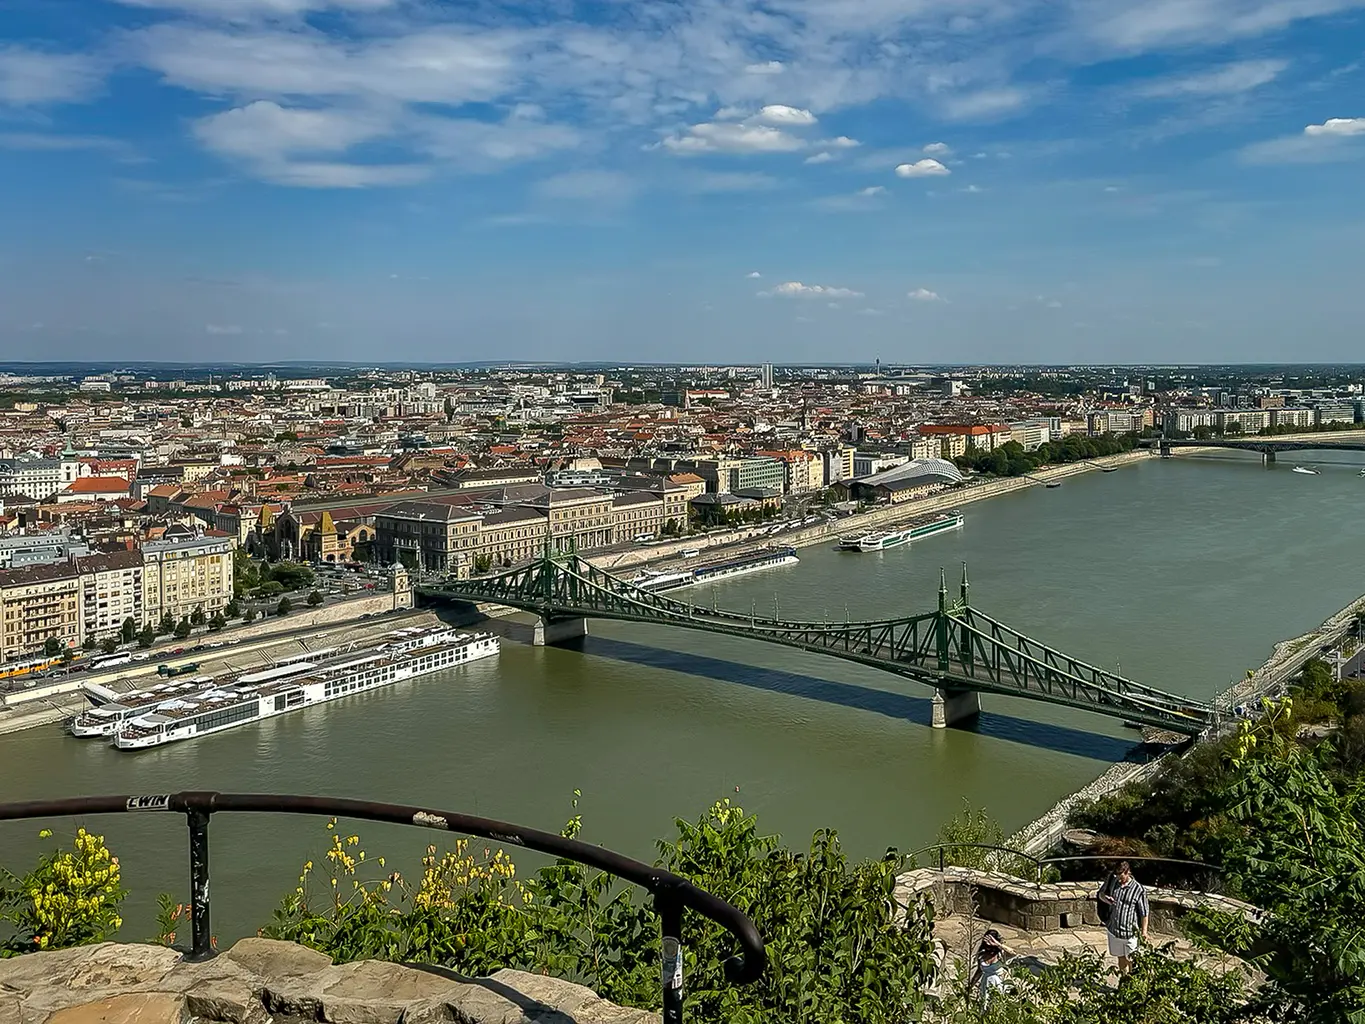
(260, 981)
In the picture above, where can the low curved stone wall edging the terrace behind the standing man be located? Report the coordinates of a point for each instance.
(1049, 907)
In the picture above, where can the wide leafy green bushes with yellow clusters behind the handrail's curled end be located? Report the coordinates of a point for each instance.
(836, 952)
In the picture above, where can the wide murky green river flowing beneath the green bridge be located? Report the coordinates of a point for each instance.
(1181, 574)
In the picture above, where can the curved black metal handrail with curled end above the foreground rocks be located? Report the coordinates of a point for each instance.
(672, 894)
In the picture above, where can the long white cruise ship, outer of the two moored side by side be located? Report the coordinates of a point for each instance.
(302, 685)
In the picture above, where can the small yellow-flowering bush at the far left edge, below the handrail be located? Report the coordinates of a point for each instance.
(70, 899)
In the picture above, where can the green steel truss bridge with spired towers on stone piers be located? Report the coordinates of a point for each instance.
(955, 649)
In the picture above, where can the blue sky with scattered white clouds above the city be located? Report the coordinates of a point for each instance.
(683, 181)
